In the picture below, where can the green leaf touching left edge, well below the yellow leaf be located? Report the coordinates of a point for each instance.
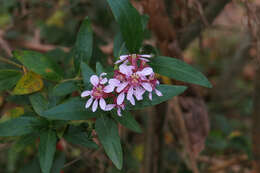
(18, 126)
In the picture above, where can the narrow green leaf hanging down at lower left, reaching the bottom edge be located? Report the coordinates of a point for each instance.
(47, 148)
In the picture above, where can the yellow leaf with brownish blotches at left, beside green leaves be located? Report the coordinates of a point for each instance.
(29, 83)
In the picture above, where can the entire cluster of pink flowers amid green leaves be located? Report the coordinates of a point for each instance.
(133, 78)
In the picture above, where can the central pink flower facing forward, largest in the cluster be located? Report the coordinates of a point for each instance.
(134, 83)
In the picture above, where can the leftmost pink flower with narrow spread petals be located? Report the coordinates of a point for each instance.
(97, 94)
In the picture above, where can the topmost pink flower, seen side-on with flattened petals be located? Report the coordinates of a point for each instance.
(132, 58)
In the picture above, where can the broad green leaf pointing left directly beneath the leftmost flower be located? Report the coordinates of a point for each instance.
(74, 109)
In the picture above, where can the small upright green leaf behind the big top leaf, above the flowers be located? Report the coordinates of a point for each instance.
(119, 46)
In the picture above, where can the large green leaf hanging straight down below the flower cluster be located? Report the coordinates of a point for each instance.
(107, 132)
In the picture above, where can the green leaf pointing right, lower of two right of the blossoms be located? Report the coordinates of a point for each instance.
(168, 91)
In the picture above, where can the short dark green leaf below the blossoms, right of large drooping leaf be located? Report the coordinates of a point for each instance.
(127, 120)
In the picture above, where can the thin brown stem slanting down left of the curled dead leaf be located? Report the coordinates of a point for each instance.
(179, 117)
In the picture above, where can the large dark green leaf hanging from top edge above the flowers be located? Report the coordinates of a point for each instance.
(130, 23)
